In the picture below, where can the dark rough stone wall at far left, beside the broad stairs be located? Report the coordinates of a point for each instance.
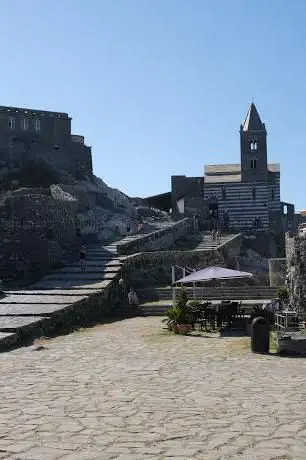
(36, 231)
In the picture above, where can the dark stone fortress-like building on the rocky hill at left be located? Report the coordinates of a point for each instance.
(27, 134)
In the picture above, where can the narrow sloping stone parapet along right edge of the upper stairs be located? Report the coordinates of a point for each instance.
(158, 240)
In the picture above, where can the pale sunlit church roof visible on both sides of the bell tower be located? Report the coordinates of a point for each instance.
(215, 174)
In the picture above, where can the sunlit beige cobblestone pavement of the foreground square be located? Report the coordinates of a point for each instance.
(128, 390)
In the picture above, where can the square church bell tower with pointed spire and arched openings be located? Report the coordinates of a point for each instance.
(253, 148)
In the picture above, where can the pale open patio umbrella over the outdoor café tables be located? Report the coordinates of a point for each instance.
(213, 273)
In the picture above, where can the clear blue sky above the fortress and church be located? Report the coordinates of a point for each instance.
(160, 87)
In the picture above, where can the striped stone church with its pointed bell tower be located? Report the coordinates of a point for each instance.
(242, 197)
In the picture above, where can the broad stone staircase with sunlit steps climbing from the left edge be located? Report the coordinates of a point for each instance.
(28, 312)
